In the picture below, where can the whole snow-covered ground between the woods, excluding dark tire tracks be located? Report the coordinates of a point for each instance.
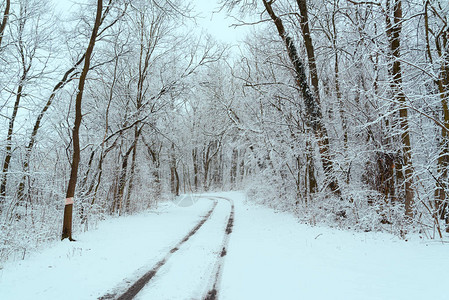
(269, 256)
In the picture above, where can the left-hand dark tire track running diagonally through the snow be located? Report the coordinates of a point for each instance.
(135, 288)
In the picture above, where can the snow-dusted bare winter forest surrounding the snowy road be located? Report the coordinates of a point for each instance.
(334, 110)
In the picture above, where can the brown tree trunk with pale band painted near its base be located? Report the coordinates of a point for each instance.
(67, 223)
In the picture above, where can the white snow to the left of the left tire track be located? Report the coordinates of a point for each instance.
(100, 259)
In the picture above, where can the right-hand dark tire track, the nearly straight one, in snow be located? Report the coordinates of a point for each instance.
(214, 286)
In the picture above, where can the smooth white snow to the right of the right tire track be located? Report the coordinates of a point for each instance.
(272, 256)
